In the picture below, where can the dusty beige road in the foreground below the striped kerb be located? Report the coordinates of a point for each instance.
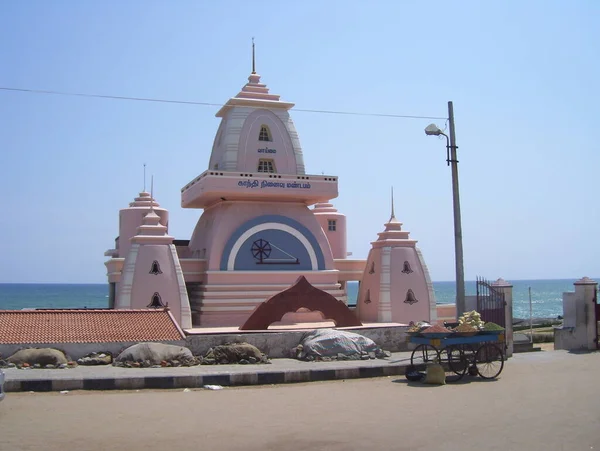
(543, 401)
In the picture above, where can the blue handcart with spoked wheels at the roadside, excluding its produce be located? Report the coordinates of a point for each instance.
(481, 354)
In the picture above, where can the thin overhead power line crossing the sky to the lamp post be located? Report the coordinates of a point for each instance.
(191, 102)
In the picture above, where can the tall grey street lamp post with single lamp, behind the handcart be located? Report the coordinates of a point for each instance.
(451, 147)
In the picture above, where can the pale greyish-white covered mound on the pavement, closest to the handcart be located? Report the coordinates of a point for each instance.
(343, 345)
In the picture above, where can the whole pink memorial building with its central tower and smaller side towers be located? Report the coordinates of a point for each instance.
(265, 222)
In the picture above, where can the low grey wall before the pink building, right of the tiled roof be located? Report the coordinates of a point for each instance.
(279, 344)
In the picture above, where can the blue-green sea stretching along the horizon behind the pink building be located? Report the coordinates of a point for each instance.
(546, 296)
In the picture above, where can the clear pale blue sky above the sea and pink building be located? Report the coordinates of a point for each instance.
(522, 75)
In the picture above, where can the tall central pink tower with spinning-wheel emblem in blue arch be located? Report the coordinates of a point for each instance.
(257, 234)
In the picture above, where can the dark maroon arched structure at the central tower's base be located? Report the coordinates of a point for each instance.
(301, 294)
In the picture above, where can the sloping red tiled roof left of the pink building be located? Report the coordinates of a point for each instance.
(87, 326)
